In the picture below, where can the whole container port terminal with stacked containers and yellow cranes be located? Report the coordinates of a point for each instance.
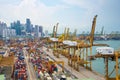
(63, 57)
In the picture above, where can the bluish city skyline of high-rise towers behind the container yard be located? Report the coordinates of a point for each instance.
(17, 28)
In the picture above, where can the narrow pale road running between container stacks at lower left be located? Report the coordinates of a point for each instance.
(31, 72)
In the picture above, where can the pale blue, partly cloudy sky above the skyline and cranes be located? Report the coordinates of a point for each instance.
(73, 14)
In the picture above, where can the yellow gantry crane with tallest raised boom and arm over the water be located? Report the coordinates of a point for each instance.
(81, 49)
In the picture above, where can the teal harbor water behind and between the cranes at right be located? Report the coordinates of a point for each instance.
(98, 65)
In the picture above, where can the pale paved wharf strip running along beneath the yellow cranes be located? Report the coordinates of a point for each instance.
(83, 74)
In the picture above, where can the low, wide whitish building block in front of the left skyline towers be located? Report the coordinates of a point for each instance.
(9, 33)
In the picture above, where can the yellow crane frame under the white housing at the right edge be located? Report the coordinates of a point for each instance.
(113, 57)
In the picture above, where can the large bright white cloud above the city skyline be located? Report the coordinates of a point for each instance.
(39, 13)
